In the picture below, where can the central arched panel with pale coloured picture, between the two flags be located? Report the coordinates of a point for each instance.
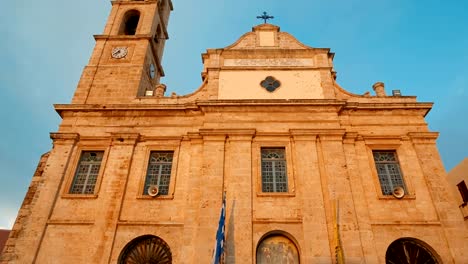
(276, 248)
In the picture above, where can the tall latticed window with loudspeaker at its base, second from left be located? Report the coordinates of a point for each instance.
(159, 171)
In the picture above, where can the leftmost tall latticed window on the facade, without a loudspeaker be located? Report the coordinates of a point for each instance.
(87, 172)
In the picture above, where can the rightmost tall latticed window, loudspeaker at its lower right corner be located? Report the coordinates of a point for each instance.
(388, 169)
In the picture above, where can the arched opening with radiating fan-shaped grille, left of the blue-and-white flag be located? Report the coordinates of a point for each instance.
(146, 249)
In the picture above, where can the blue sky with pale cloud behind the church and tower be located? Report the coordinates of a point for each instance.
(419, 47)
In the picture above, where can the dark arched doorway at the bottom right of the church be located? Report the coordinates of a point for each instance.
(410, 251)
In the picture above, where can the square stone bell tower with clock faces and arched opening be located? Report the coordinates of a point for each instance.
(126, 62)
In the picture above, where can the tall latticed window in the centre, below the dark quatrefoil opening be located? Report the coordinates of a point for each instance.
(274, 175)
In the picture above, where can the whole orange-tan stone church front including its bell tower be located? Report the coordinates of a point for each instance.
(308, 172)
